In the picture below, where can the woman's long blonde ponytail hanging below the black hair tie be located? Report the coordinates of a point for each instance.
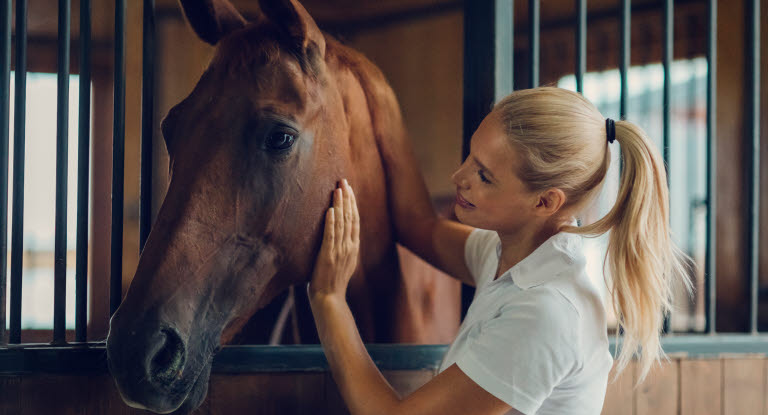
(644, 262)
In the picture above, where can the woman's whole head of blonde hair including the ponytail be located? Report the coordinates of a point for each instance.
(562, 140)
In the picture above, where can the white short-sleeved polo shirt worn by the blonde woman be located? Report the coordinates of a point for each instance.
(536, 337)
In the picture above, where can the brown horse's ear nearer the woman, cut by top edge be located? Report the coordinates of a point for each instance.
(292, 18)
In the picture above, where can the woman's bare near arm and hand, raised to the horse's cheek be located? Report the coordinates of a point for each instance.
(361, 384)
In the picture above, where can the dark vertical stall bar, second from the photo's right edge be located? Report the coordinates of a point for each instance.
(710, 297)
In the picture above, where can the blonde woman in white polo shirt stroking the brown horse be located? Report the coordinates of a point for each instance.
(534, 339)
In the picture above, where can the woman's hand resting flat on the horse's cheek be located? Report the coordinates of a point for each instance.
(337, 259)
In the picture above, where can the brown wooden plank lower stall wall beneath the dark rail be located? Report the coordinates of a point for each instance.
(727, 385)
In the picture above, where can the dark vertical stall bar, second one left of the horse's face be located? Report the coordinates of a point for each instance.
(118, 154)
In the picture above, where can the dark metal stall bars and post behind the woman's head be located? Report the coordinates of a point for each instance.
(491, 46)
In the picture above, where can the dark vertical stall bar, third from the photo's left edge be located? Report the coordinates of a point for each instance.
(60, 228)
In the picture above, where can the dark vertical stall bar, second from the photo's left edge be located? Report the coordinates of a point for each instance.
(17, 219)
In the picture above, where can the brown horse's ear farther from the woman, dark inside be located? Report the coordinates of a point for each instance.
(212, 19)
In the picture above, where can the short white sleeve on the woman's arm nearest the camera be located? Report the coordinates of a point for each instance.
(523, 353)
